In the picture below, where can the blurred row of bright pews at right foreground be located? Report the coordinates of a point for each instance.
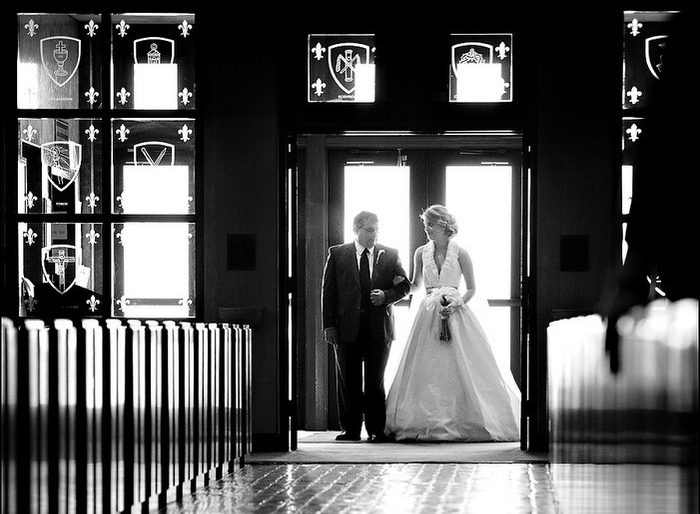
(608, 429)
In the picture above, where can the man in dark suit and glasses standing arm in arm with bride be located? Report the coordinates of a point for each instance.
(357, 298)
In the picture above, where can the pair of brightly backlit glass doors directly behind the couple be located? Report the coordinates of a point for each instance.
(481, 188)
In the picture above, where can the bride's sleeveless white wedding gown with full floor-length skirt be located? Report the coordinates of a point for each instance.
(450, 391)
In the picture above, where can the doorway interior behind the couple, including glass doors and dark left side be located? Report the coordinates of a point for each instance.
(479, 177)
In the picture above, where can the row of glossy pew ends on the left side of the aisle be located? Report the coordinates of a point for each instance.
(119, 416)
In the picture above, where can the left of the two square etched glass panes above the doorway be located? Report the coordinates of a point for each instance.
(341, 68)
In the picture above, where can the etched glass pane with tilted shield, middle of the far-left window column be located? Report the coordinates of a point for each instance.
(59, 165)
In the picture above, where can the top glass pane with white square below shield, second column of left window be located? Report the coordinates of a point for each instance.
(153, 61)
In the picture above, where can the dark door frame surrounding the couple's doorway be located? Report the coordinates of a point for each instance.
(314, 224)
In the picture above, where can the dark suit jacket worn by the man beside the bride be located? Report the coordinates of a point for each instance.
(341, 291)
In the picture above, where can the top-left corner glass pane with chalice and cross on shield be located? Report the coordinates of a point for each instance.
(59, 63)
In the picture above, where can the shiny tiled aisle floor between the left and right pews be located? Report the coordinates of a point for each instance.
(377, 488)
